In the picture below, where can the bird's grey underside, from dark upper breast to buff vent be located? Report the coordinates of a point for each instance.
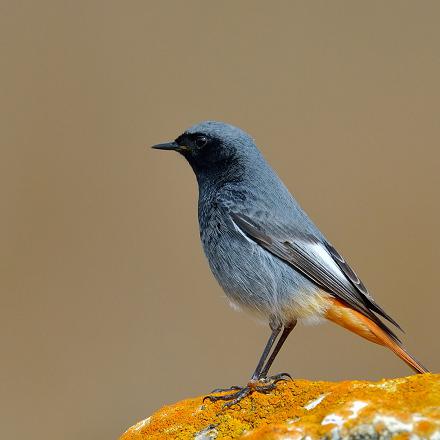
(250, 276)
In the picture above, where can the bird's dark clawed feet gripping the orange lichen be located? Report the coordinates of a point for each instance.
(263, 385)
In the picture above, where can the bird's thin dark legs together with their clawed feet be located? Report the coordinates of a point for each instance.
(259, 381)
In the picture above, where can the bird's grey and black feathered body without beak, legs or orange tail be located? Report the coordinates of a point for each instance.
(242, 199)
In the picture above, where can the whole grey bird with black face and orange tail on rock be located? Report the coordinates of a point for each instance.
(267, 254)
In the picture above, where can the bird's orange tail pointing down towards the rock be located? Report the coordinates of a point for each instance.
(363, 326)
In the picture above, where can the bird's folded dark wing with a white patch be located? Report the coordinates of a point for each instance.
(318, 261)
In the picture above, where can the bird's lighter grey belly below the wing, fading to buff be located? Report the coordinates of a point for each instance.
(255, 280)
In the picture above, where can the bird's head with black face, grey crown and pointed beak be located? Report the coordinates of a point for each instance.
(213, 146)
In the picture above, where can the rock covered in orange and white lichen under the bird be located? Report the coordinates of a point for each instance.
(404, 408)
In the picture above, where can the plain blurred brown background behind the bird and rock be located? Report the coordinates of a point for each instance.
(108, 308)
